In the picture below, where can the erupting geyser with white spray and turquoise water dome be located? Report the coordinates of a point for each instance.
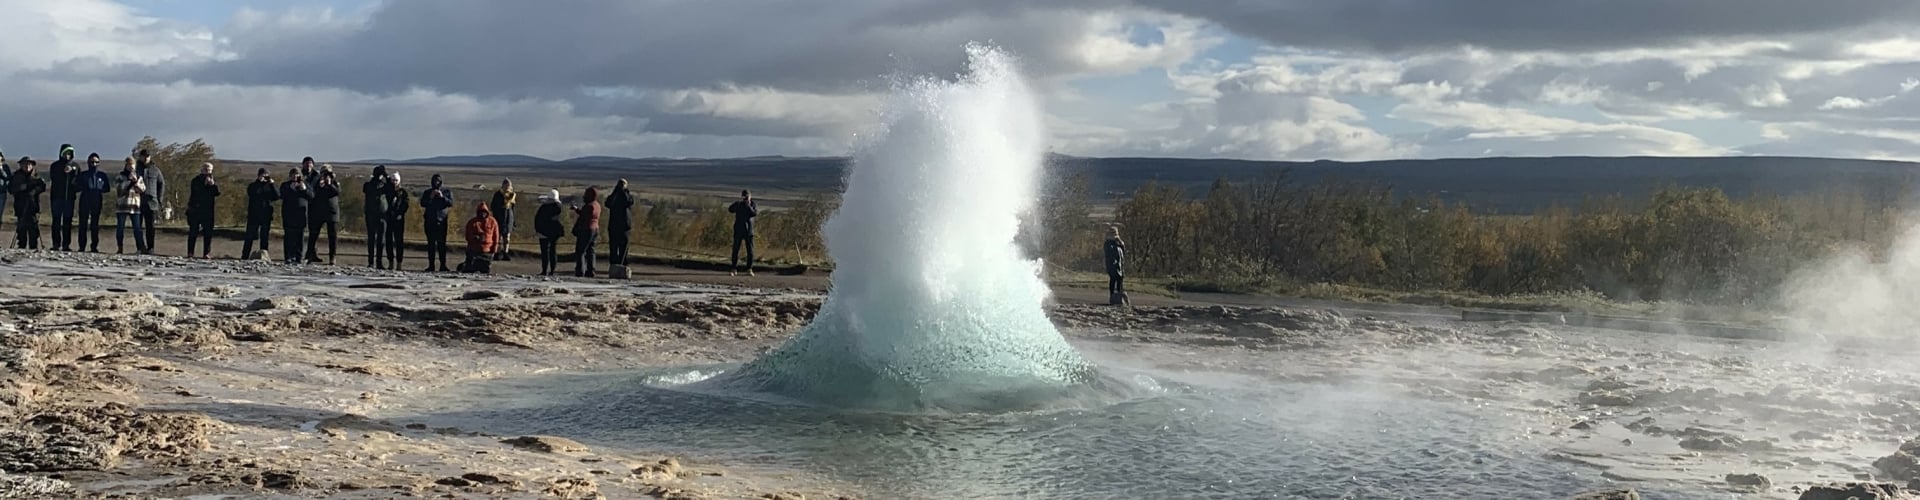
(934, 307)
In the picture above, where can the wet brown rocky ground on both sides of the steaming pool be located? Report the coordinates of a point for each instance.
(153, 378)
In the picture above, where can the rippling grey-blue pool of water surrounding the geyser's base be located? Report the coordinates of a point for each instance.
(1209, 439)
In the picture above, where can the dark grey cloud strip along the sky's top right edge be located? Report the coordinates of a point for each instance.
(1414, 26)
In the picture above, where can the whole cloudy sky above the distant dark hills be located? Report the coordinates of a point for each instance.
(1262, 80)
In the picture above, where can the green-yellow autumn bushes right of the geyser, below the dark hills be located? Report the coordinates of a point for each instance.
(1685, 245)
